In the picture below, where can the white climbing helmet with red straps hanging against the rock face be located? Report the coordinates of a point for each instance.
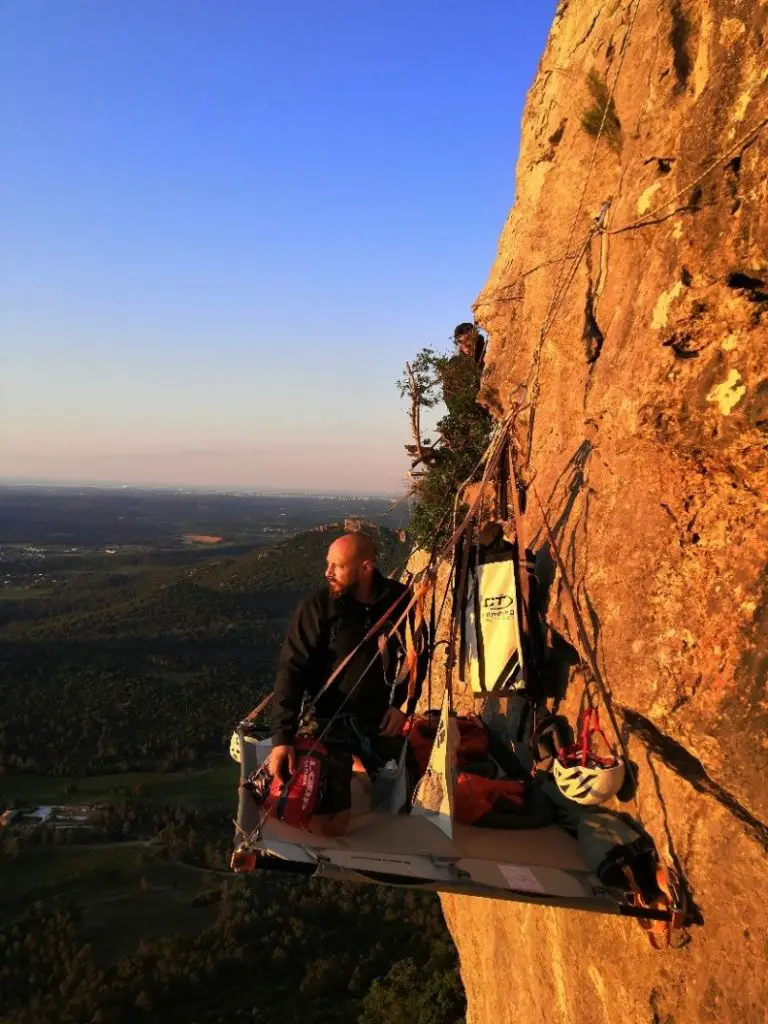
(582, 776)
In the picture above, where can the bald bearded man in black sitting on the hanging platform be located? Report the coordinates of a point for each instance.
(365, 714)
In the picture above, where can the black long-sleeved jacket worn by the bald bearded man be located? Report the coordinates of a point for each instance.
(324, 630)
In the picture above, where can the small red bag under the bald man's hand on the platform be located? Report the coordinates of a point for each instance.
(296, 800)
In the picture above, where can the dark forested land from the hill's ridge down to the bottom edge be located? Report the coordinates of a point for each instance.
(121, 694)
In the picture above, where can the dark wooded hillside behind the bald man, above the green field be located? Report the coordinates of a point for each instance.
(152, 673)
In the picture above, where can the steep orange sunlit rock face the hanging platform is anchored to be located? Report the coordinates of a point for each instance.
(633, 272)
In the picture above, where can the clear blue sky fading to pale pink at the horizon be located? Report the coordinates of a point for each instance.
(226, 225)
